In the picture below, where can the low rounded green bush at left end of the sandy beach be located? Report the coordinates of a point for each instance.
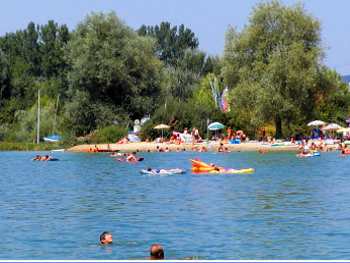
(109, 134)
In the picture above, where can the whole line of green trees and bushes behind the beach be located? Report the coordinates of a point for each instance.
(96, 79)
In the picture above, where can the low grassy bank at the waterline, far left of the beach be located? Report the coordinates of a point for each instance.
(14, 146)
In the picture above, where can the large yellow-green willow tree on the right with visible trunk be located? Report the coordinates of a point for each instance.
(273, 64)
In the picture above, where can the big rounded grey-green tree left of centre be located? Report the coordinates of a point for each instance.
(114, 65)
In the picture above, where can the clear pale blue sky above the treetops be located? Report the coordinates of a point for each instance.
(208, 19)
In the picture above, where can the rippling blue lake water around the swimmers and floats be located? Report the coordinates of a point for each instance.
(289, 208)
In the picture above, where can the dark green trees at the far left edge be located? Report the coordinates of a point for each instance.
(29, 55)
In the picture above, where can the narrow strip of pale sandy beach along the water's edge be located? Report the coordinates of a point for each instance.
(152, 146)
